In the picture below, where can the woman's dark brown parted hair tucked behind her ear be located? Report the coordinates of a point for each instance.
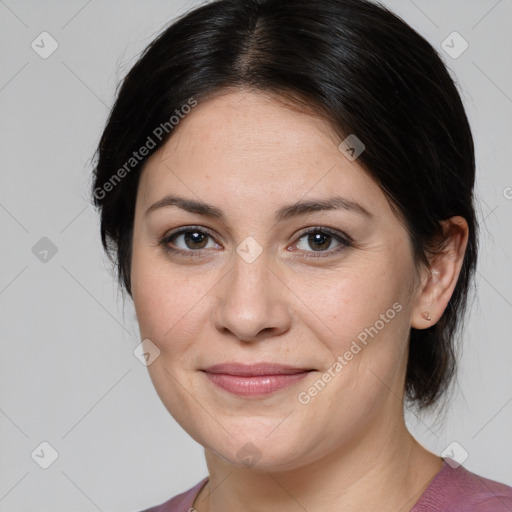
(355, 63)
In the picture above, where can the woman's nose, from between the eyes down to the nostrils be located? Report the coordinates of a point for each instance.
(254, 301)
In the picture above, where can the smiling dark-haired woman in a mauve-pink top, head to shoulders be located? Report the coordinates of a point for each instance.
(286, 187)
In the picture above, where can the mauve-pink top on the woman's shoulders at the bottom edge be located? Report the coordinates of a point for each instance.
(453, 489)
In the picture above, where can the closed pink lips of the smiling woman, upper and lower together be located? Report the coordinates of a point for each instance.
(254, 379)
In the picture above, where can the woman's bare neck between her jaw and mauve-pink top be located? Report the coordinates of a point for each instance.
(387, 471)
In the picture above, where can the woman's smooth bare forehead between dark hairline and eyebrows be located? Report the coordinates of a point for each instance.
(251, 147)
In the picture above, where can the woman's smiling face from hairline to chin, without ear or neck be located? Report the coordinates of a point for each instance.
(251, 286)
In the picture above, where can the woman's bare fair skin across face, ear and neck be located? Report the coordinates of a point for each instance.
(348, 449)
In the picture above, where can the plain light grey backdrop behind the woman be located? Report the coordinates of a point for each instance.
(68, 375)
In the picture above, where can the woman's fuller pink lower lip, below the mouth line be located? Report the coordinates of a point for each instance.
(254, 385)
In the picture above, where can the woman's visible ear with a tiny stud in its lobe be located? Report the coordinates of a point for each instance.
(437, 284)
